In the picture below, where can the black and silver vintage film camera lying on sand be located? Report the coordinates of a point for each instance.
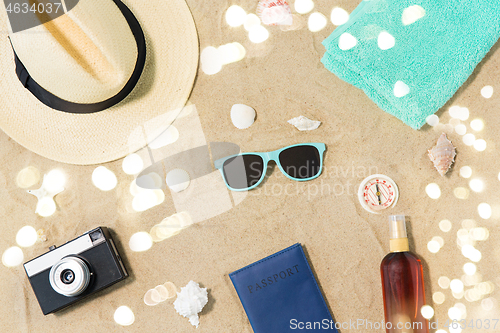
(75, 270)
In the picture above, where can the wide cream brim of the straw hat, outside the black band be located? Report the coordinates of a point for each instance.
(162, 91)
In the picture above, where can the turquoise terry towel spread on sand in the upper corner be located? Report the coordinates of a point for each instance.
(410, 57)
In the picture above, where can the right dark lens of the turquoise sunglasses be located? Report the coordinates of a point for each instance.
(301, 162)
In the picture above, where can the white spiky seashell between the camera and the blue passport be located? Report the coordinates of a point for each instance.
(190, 301)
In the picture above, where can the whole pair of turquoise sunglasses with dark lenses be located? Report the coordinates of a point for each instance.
(246, 171)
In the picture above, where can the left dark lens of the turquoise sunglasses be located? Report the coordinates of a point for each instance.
(243, 171)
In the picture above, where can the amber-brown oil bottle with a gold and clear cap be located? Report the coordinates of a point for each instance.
(402, 283)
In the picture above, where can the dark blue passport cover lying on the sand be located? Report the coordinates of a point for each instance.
(280, 294)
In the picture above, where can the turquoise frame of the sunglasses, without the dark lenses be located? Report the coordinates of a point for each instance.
(272, 156)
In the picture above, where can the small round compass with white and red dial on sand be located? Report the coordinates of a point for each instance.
(377, 193)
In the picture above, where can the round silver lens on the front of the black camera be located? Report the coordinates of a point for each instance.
(70, 276)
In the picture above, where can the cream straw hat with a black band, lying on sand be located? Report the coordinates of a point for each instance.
(89, 59)
